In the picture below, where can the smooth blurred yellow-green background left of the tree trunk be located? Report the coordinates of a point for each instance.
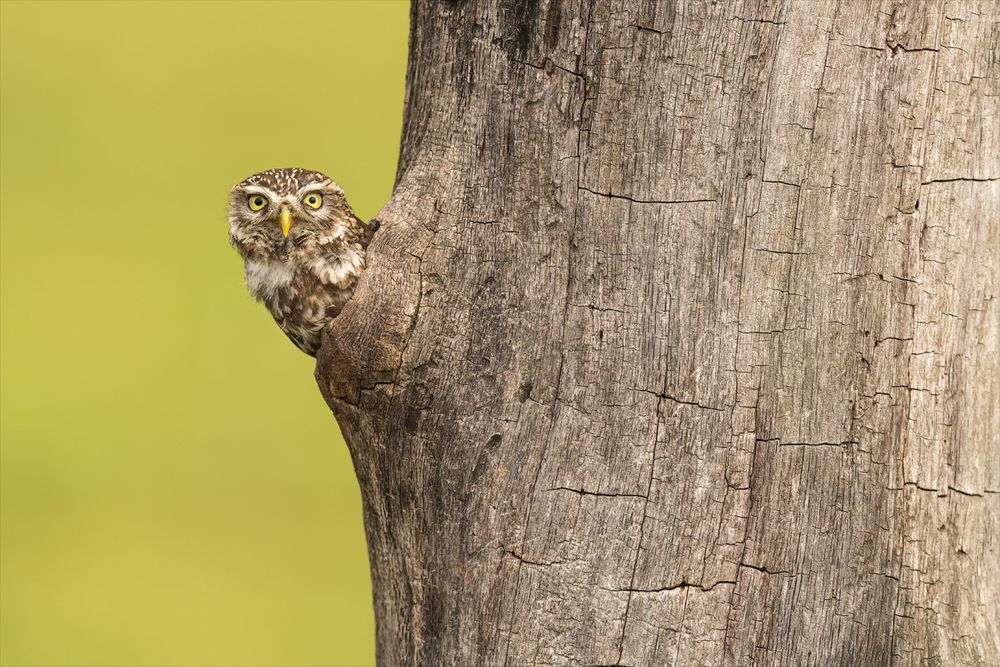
(173, 489)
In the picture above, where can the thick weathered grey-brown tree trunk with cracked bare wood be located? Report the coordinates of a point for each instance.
(679, 342)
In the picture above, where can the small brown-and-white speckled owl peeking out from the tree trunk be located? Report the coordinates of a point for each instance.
(303, 247)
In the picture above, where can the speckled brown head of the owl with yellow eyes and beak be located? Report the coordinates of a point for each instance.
(279, 210)
